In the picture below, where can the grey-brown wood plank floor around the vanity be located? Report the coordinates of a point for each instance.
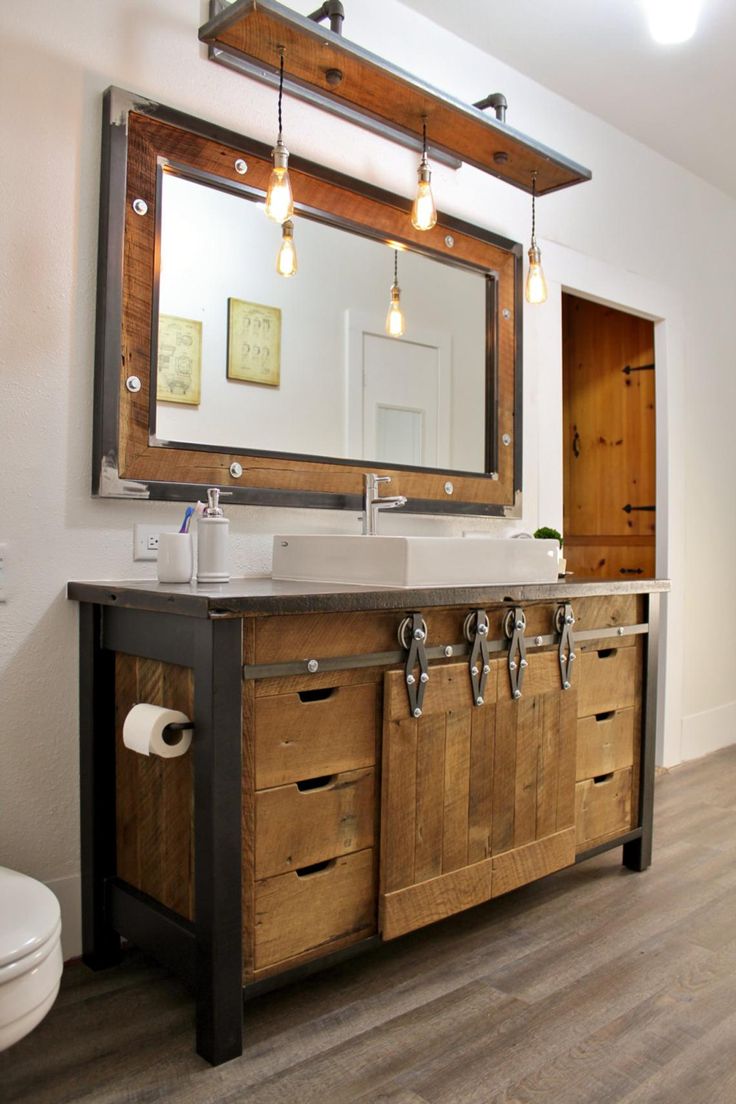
(596, 986)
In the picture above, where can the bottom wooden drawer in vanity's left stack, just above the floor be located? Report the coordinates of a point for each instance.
(315, 911)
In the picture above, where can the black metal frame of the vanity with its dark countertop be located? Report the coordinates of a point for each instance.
(205, 632)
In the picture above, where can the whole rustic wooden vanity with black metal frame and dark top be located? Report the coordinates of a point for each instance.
(364, 762)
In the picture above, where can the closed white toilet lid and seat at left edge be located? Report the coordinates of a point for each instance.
(29, 914)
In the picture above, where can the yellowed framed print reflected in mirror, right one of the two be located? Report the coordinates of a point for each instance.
(254, 343)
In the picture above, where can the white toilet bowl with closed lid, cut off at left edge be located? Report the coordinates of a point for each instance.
(30, 954)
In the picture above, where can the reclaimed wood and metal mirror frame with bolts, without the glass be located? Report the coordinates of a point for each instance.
(140, 137)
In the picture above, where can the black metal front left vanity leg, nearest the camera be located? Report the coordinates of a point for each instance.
(218, 792)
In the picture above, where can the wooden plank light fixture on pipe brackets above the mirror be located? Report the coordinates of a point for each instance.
(325, 69)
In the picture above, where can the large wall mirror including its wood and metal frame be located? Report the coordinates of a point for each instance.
(214, 369)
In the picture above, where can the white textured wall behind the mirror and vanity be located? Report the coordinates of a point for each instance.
(643, 228)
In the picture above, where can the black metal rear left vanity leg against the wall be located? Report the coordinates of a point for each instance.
(101, 943)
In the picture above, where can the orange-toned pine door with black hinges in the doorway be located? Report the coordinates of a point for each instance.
(610, 471)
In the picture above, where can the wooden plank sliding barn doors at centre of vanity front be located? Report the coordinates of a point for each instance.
(476, 800)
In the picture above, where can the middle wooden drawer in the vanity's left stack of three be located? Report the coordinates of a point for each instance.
(307, 823)
